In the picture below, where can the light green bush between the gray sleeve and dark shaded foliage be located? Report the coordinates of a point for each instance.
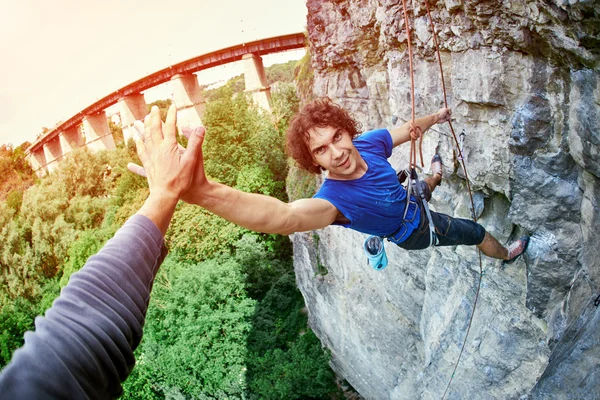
(195, 333)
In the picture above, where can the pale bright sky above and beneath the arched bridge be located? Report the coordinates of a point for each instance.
(60, 56)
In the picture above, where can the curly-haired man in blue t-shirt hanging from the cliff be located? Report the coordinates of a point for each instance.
(361, 190)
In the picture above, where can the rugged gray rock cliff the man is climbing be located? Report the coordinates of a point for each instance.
(522, 78)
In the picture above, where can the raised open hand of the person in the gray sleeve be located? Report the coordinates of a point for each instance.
(169, 168)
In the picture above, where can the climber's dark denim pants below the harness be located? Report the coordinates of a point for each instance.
(450, 232)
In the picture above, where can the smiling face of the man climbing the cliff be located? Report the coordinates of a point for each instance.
(332, 149)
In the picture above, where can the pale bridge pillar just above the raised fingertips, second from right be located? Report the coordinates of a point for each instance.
(188, 99)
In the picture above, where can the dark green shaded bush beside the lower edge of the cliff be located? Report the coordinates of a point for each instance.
(287, 361)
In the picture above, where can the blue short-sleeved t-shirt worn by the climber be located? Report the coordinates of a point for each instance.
(375, 202)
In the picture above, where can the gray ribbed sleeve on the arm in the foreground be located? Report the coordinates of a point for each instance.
(83, 346)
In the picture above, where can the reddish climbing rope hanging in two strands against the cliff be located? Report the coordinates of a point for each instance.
(460, 157)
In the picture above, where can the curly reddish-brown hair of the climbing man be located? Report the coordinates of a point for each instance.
(318, 113)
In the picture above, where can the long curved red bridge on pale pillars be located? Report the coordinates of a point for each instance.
(90, 128)
